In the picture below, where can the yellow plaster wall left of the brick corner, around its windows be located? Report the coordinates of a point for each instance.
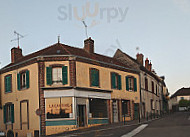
(31, 94)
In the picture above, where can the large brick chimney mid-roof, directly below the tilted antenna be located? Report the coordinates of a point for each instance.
(89, 45)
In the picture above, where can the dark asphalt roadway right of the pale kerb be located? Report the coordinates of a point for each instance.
(175, 125)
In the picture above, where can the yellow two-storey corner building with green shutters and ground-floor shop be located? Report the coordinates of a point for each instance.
(62, 88)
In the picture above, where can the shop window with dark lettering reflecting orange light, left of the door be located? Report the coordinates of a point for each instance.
(57, 108)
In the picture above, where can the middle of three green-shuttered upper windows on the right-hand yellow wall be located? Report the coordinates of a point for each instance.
(115, 81)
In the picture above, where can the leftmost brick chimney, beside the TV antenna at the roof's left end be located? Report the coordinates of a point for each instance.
(16, 54)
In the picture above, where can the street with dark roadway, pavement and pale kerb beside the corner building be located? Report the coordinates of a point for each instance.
(174, 125)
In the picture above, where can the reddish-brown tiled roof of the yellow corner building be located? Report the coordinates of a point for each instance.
(62, 49)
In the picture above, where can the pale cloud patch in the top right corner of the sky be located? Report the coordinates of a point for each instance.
(184, 5)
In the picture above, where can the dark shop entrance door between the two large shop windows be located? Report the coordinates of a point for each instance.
(81, 115)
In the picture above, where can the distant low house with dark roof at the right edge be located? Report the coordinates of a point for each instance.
(183, 93)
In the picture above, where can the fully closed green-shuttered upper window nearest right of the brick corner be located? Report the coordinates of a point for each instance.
(94, 77)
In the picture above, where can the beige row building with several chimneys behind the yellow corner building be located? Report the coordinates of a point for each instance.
(152, 88)
